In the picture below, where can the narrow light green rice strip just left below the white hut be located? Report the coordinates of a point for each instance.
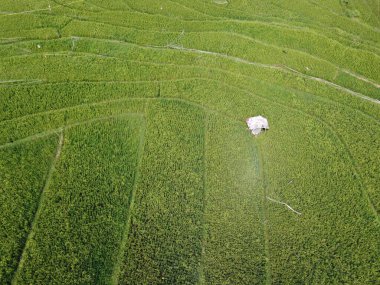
(234, 235)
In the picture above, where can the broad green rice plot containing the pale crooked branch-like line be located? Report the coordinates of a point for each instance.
(335, 239)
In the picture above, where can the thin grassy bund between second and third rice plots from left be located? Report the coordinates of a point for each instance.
(118, 270)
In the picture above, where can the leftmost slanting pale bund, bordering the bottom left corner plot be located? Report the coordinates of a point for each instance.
(39, 207)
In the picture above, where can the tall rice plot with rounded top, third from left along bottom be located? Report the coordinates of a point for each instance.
(164, 245)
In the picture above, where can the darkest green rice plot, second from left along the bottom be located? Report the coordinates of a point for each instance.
(79, 230)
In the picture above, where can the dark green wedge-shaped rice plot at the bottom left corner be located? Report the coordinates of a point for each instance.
(24, 170)
